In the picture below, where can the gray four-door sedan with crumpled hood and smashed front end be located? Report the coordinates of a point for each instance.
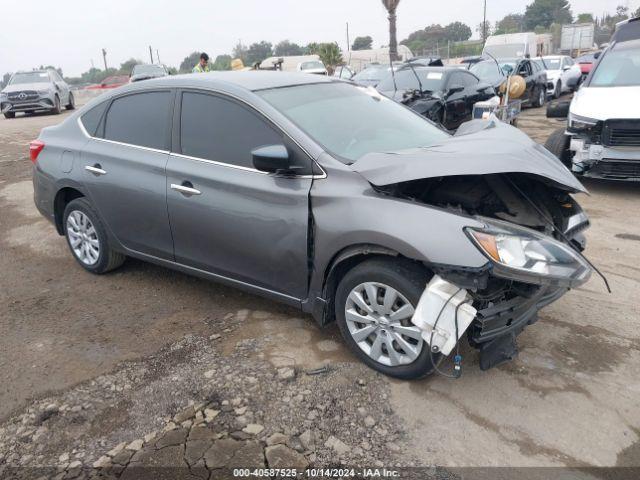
(326, 196)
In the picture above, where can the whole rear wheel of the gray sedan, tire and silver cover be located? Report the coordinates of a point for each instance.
(87, 238)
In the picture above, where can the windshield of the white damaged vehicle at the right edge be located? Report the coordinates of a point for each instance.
(619, 67)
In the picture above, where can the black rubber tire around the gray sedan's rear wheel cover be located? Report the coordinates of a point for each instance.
(108, 259)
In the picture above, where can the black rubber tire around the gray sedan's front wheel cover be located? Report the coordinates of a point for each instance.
(408, 279)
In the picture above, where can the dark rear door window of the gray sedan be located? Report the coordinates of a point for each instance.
(140, 119)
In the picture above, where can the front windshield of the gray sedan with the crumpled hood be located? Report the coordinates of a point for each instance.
(362, 120)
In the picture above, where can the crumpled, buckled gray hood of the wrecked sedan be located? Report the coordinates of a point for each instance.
(479, 147)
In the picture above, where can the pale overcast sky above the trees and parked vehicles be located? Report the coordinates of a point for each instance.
(71, 33)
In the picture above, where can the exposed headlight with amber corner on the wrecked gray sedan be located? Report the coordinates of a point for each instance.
(526, 255)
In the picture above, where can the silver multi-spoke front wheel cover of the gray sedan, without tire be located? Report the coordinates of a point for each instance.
(379, 320)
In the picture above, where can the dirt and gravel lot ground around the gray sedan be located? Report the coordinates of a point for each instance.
(91, 365)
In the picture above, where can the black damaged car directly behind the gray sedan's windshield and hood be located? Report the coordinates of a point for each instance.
(444, 95)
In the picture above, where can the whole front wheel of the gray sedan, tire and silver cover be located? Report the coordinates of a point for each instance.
(374, 305)
